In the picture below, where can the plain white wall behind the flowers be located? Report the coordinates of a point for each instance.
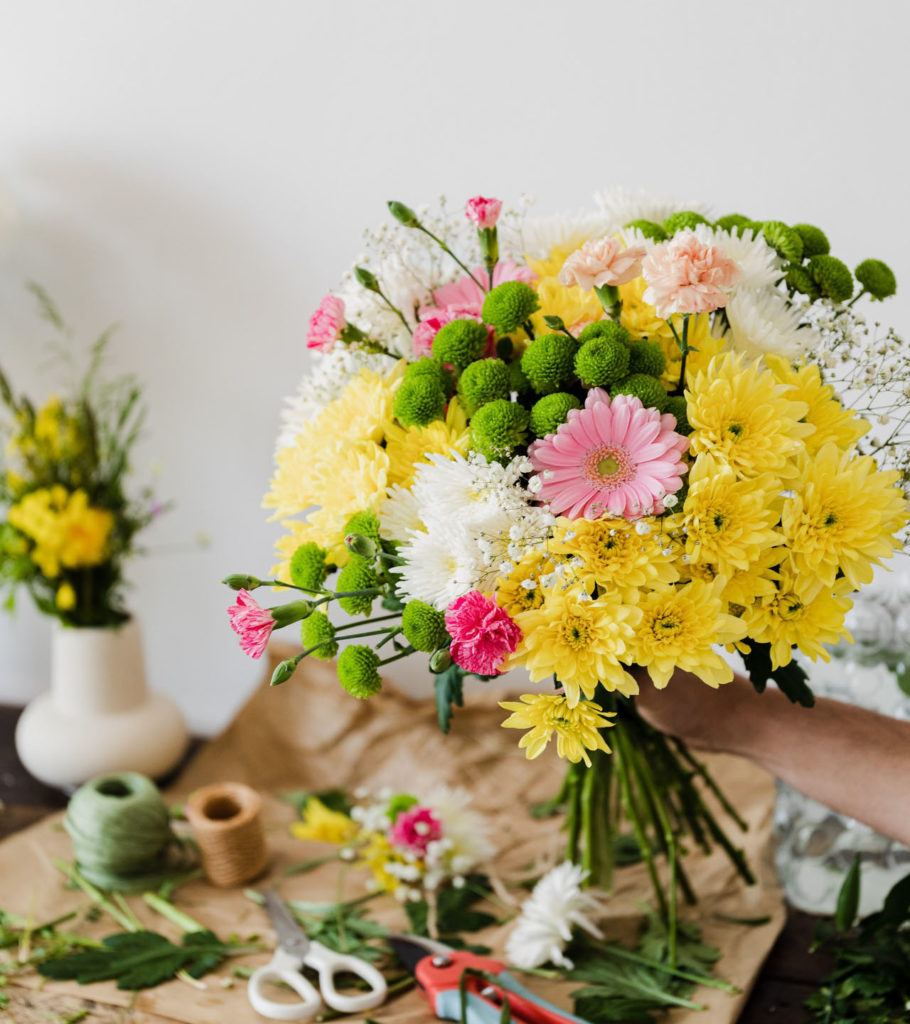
(201, 172)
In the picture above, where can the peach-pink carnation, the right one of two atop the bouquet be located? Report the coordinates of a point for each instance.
(686, 276)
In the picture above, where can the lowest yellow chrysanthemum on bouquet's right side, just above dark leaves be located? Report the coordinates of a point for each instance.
(799, 613)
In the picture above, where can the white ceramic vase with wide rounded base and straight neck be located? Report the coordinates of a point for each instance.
(99, 715)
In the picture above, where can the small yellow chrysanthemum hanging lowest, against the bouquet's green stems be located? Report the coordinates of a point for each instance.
(545, 714)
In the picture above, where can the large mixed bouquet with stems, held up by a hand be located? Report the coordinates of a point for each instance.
(604, 448)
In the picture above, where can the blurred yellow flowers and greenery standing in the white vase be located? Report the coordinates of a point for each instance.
(69, 525)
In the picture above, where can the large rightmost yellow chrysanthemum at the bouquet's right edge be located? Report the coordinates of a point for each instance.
(843, 518)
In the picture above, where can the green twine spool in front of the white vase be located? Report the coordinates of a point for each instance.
(121, 832)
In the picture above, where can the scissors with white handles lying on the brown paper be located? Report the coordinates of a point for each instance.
(294, 951)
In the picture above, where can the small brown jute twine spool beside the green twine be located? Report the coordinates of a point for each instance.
(227, 822)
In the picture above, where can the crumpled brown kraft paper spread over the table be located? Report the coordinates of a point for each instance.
(310, 735)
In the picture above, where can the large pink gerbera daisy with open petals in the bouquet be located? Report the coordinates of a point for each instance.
(611, 459)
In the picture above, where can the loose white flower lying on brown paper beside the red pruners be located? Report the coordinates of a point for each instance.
(557, 906)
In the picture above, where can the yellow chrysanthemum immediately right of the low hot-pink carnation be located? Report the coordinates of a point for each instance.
(583, 643)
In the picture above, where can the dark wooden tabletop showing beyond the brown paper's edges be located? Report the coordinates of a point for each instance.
(791, 974)
